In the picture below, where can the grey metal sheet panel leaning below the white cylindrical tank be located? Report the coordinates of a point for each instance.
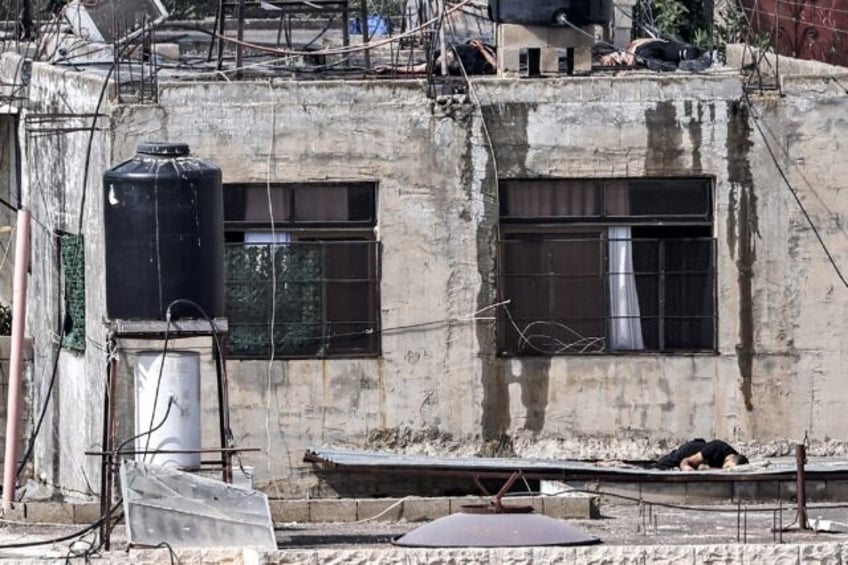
(186, 510)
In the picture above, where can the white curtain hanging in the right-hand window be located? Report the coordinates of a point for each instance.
(625, 324)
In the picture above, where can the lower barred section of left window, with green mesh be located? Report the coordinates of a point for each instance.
(302, 299)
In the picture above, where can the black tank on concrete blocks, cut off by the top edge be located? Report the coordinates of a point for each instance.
(549, 12)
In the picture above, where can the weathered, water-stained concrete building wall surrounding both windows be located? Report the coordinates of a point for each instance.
(442, 383)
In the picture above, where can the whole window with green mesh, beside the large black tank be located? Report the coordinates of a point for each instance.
(302, 270)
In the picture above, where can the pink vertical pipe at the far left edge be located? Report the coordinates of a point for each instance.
(13, 406)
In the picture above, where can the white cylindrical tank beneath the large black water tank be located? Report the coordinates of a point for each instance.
(175, 382)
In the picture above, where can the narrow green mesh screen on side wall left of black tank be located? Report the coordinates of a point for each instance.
(73, 268)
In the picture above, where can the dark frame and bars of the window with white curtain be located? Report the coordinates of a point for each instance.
(696, 229)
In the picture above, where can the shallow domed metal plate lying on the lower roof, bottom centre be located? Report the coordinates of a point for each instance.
(495, 530)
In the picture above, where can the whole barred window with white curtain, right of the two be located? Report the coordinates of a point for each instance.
(606, 265)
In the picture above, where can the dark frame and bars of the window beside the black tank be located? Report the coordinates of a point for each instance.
(313, 241)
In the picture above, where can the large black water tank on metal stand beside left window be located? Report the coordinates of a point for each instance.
(163, 214)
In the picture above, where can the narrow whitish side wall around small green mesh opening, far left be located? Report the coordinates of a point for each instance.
(55, 186)
